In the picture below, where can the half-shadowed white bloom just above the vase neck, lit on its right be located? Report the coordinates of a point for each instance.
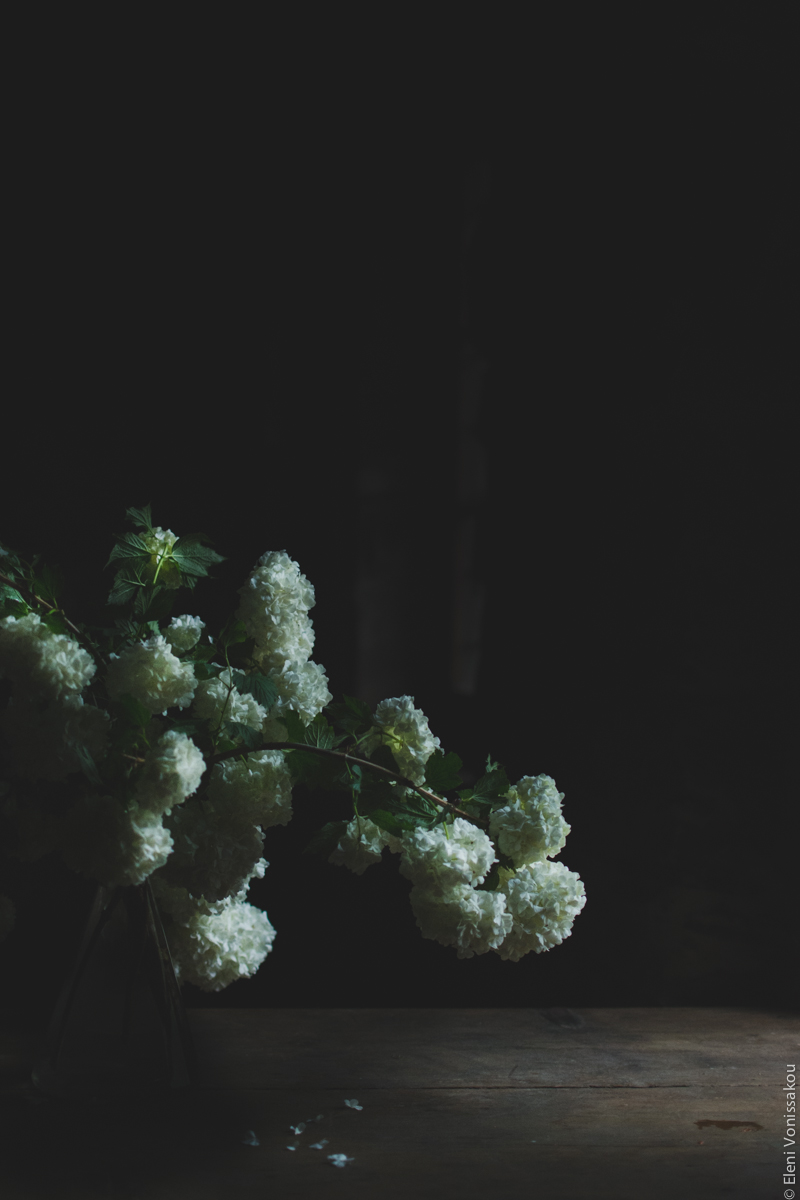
(103, 842)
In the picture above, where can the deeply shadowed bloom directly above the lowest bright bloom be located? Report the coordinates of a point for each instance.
(214, 851)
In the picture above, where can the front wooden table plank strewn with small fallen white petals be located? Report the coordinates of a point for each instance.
(552, 1143)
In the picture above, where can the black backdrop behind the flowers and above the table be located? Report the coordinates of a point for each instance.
(496, 337)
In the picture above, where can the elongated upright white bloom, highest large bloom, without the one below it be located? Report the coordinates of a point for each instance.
(274, 607)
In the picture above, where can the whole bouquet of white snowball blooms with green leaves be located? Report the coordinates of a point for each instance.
(151, 751)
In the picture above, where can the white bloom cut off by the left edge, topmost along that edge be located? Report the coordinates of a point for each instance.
(43, 665)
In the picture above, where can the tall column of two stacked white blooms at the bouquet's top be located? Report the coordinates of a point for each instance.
(274, 607)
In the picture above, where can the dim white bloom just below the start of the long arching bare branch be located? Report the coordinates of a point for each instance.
(257, 790)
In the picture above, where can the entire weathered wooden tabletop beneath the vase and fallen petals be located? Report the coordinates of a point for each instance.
(492, 1105)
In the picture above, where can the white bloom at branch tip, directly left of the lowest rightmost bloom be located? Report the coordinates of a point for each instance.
(474, 922)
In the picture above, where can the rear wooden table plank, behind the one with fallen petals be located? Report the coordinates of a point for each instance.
(464, 1048)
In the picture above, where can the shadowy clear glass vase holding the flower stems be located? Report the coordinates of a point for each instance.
(119, 1025)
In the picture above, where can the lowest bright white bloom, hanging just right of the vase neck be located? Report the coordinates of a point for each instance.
(214, 945)
